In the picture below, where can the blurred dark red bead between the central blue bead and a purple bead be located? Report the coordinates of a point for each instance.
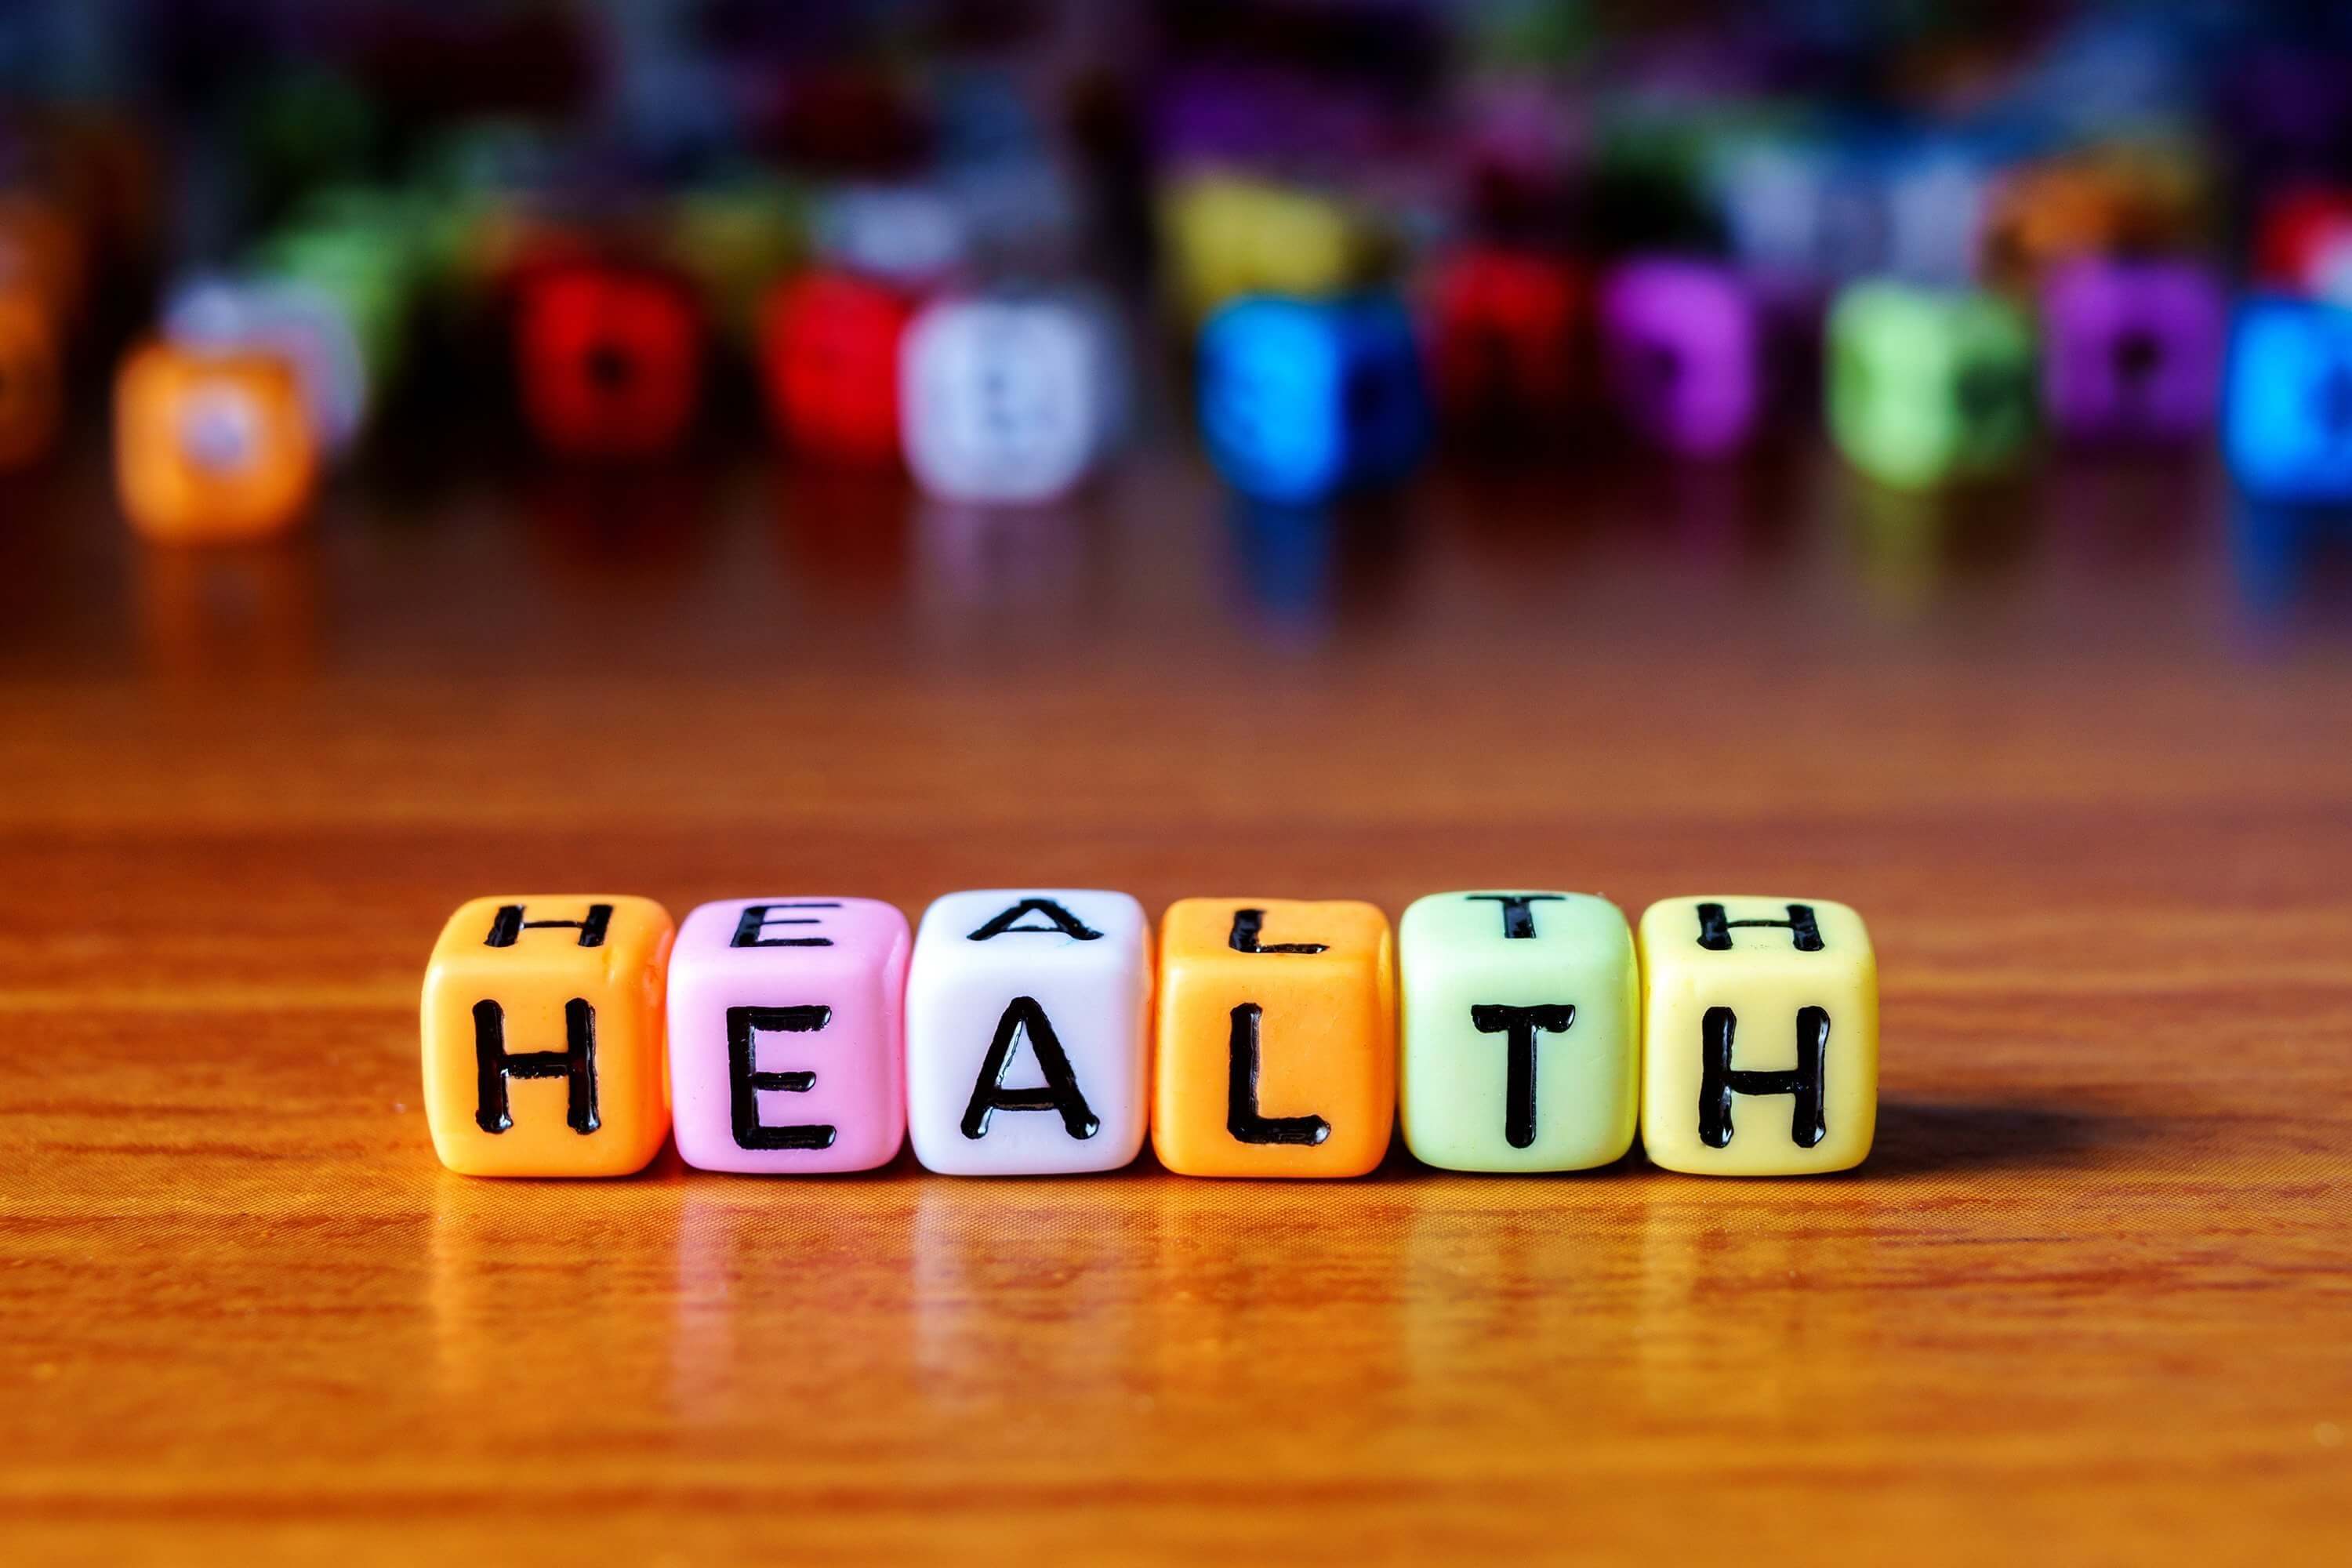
(1506, 337)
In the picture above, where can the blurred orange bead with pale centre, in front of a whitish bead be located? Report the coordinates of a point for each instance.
(213, 445)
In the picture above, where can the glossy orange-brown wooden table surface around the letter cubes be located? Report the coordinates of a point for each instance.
(2080, 753)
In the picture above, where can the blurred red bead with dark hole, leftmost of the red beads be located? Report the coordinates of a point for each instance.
(610, 361)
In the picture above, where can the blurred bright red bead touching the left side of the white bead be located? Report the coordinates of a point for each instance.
(829, 363)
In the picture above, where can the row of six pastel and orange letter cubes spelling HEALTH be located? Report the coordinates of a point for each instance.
(566, 1036)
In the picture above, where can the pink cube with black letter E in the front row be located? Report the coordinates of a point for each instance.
(789, 1036)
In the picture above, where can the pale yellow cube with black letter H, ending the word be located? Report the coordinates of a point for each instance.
(1760, 1026)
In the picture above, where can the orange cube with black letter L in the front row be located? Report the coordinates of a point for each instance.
(1278, 1038)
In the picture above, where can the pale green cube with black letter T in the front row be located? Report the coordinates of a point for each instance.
(1523, 1031)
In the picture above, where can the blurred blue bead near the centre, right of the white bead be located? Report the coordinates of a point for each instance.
(1307, 398)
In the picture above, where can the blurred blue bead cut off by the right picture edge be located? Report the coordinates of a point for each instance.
(2287, 406)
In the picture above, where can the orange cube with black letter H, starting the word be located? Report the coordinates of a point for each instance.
(544, 1036)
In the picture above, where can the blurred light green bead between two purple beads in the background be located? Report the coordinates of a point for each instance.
(1930, 387)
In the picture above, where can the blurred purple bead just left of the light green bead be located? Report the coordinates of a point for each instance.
(1683, 354)
